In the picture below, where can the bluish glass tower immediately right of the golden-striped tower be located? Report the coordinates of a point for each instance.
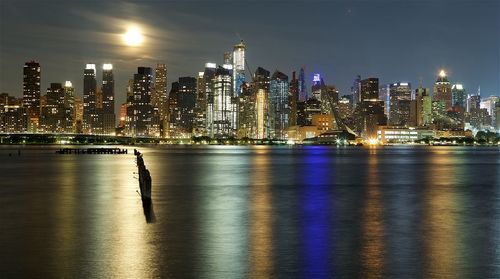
(278, 105)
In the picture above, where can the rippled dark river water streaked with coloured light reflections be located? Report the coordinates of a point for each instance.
(237, 212)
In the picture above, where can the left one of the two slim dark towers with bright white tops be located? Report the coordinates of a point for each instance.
(90, 115)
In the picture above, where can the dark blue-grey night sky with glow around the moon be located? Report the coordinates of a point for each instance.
(391, 40)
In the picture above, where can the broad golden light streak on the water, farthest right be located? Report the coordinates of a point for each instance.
(440, 227)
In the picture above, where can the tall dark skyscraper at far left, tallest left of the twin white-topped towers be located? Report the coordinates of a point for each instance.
(31, 93)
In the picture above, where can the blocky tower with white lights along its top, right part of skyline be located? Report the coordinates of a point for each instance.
(399, 95)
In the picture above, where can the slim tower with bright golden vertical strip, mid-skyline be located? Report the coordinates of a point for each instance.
(261, 87)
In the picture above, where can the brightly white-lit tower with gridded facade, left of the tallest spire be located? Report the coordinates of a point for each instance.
(223, 109)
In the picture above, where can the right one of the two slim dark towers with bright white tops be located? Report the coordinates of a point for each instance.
(108, 100)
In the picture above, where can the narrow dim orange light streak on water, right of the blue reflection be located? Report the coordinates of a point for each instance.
(372, 252)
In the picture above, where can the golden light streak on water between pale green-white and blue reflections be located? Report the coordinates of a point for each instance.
(261, 260)
